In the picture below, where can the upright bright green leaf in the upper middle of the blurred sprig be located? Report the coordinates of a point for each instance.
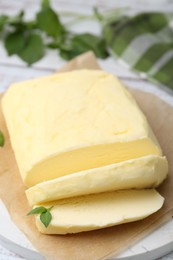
(48, 21)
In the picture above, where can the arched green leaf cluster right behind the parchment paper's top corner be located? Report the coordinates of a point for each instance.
(82, 43)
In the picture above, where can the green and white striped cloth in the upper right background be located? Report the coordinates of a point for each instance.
(145, 43)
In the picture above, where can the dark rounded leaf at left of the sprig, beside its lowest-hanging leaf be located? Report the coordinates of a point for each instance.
(14, 42)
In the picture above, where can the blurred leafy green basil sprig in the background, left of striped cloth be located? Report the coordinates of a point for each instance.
(29, 39)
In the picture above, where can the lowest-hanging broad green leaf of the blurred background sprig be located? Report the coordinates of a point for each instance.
(33, 50)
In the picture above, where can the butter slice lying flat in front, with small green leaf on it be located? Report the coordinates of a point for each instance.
(100, 210)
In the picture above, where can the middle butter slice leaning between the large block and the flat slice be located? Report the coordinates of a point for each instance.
(144, 172)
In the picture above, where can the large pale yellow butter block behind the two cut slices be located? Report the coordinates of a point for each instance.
(74, 121)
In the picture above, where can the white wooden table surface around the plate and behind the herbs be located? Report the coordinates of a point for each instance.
(12, 69)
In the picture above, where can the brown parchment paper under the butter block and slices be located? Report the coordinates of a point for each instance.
(96, 244)
